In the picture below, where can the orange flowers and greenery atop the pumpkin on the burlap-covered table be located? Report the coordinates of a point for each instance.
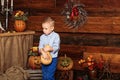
(20, 15)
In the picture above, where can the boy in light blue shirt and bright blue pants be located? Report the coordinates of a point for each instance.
(52, 39)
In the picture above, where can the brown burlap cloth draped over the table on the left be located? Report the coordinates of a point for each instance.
(14, 49)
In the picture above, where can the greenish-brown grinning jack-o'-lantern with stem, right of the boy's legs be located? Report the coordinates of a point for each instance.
(64, 63)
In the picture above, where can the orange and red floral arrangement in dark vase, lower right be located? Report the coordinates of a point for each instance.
(92, 65)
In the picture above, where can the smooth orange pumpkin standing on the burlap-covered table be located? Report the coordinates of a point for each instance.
(19, 25)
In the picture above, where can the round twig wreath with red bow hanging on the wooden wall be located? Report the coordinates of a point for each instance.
(74, 13)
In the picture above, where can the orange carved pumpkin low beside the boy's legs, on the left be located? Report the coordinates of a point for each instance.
(34, 62)
